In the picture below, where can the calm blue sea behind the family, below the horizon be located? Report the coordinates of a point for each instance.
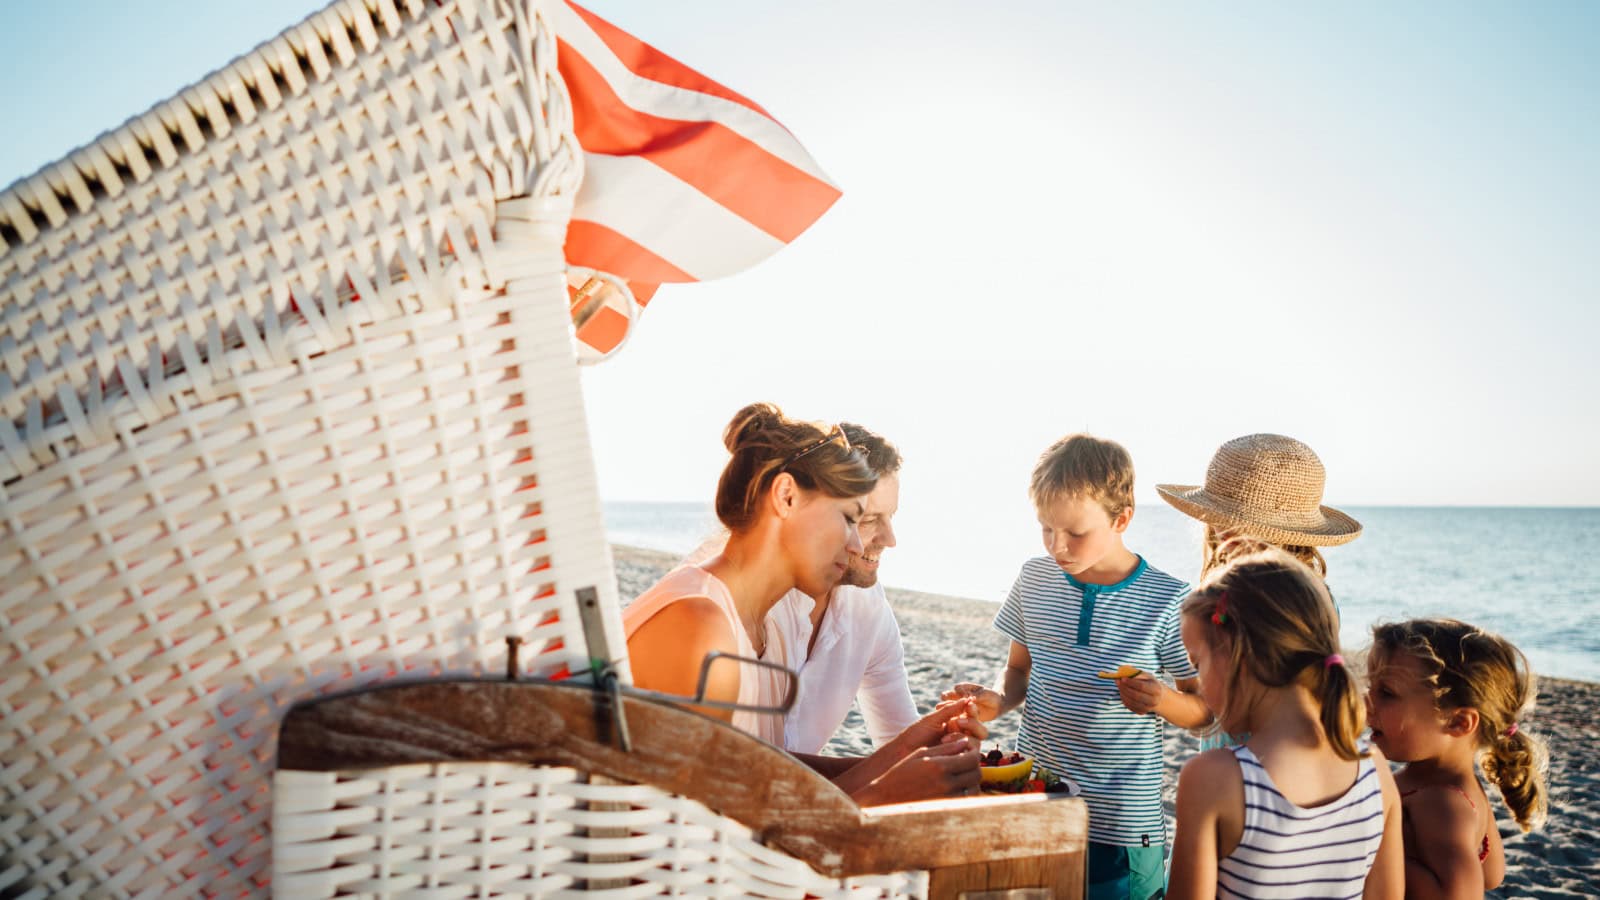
(1529, 574)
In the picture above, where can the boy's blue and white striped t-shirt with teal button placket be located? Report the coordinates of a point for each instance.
(1073, 721)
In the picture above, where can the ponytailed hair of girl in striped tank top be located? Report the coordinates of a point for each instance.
(1273, 617)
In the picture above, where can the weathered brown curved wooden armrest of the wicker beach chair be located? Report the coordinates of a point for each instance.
(785, 803)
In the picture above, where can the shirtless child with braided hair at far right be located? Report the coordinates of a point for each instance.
(1449, 699)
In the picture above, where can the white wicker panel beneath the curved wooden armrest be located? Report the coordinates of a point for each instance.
(495, 829)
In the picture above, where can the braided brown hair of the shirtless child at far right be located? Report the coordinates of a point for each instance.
(1470, 667)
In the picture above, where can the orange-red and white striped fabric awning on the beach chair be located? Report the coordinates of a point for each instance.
(684, 179)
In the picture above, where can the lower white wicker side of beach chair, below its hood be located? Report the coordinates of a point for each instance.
(390, 510)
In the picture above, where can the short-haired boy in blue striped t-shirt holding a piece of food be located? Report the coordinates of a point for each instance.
(1092, 608)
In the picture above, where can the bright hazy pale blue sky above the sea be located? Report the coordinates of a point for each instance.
(1370, 227)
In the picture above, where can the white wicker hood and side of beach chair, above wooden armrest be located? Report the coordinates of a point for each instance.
(290, 406)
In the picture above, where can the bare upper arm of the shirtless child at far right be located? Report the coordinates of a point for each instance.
(1444, 861)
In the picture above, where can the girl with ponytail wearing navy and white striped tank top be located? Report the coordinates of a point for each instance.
(1300, 810)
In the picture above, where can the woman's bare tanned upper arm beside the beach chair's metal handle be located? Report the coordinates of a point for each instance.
(668, 651)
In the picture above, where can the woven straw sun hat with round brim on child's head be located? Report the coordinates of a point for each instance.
(1266, 486)
